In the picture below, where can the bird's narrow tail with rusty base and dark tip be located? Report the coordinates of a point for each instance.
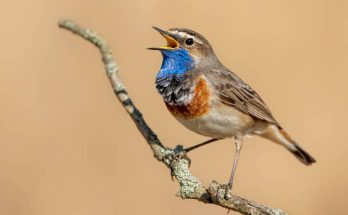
(280, 136)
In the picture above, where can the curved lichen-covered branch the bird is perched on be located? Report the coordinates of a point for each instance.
(190, 186)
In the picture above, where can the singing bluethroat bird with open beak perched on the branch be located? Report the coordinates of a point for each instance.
(209, 99)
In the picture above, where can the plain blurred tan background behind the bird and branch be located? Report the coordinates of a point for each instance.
(67, 146)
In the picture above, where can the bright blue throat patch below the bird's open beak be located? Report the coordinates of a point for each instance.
(175, 63)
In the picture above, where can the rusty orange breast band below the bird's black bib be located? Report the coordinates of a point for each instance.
(197, 106)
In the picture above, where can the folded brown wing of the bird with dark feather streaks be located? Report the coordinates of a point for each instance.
(234, 92)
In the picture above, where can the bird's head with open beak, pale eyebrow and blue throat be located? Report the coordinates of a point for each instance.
(185, 50)
